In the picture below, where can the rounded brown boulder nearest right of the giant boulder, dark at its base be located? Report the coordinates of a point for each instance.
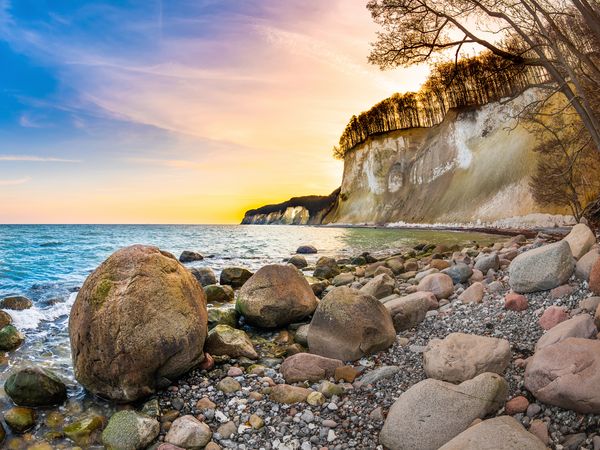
(275, 296)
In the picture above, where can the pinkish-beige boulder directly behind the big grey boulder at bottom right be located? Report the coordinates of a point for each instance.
(459, 357)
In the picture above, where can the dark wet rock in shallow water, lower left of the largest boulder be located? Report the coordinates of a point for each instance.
(34, 386)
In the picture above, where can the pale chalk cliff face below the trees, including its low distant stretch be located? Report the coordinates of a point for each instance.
(472, 168)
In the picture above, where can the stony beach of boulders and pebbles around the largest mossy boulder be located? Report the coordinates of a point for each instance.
(257, 388)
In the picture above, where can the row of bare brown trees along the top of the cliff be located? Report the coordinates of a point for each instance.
(469, 82)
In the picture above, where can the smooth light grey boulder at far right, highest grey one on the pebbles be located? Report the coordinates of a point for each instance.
(542, 268)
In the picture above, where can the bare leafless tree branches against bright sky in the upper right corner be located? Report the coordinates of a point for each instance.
(562, 36)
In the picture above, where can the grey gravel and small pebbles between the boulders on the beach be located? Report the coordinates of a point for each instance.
(353, 420)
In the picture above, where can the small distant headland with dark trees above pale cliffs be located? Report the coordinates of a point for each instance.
(296, 211)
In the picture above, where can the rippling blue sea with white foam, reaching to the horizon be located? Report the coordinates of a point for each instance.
(49, 263)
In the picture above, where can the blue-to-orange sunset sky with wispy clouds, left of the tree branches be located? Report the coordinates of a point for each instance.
(179, 111)
